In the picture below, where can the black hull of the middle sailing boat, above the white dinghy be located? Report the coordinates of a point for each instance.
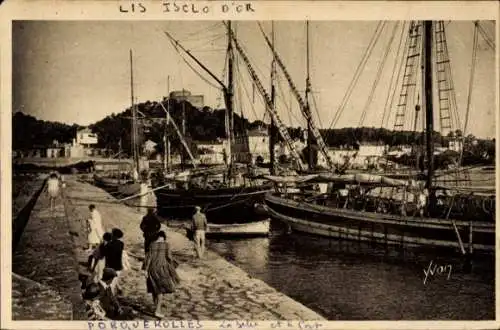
(221, 206)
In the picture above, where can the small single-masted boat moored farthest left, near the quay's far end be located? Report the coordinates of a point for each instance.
(120, 184)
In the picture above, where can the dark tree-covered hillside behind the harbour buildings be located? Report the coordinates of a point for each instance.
(208, 124)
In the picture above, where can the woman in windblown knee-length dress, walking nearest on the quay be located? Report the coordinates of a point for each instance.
(161, 276)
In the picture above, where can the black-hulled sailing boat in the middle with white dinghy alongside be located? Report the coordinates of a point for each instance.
(229, 198)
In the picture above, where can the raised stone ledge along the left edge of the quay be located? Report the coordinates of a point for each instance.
(45, 284)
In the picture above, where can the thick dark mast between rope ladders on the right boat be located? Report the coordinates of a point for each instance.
(428, 94)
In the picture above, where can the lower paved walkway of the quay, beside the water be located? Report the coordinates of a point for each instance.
(211, 289)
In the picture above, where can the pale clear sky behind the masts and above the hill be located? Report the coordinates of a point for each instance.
(79, 71)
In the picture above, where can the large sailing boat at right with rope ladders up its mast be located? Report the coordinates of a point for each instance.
(336, 214)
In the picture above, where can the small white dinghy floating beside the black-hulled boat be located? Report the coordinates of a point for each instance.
(236, 230)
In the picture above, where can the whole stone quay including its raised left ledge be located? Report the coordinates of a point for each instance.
(51, 256)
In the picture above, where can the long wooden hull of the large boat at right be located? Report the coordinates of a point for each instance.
(379, 228)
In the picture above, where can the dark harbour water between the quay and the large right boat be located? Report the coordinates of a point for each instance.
(345, 280)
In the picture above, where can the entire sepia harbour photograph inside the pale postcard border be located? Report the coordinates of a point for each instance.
(196, 170)
